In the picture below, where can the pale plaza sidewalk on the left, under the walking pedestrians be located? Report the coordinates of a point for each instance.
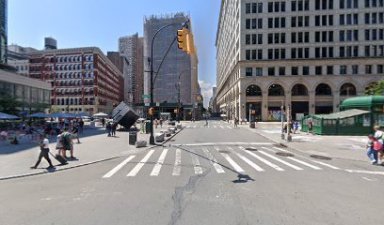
(95, 146)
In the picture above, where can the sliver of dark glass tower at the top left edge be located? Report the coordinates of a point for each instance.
(3, 31)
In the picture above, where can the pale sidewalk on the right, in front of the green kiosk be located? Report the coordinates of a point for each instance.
(343, 147)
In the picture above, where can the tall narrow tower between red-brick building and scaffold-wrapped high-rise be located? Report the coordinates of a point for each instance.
(131, 48)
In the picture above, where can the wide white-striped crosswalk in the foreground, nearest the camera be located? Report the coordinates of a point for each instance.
(196, 159)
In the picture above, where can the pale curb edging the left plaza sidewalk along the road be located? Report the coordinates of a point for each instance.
(82, 164)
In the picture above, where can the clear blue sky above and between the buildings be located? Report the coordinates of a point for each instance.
(99, 23)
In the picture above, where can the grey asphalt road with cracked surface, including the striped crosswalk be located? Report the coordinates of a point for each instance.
(207, 175)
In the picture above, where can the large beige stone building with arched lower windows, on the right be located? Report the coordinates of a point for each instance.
(307, 56)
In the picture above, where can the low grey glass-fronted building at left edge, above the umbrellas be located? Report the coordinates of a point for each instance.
(34, 95)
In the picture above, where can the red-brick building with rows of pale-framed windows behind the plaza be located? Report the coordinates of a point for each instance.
(83, 79)
